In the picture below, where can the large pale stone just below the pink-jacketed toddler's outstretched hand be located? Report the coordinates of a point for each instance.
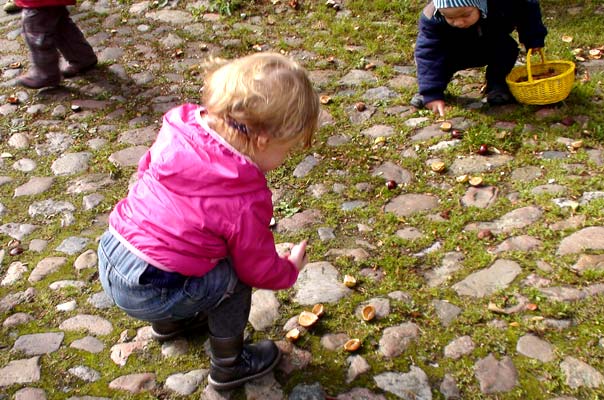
(319, 283)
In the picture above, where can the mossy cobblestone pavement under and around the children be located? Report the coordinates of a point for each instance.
(489, 290)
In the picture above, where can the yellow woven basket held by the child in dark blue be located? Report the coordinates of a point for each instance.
(528, 88)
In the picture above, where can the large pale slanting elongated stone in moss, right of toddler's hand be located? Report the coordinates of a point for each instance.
(487, 281)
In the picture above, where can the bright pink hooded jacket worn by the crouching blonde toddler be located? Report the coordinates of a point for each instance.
(198, 200)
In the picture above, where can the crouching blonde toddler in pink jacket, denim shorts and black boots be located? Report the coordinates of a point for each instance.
(192, 238)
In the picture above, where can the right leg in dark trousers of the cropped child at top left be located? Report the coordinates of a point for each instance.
(74, 47)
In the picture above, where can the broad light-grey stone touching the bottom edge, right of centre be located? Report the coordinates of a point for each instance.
(413, 385)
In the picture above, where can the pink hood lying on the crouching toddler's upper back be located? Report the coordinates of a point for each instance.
(198, 161)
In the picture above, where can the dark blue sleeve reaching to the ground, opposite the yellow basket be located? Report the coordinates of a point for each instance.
(430, 60)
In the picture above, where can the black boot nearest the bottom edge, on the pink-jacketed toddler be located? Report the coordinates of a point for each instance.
(233, 363)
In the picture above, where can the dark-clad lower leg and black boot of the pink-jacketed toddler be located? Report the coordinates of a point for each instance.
(232, 362)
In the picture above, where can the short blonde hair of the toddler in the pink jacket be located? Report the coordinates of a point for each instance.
(264, 93)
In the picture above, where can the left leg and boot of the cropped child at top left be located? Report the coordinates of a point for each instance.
(39, 25)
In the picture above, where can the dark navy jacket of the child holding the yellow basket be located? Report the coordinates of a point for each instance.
(440, 47)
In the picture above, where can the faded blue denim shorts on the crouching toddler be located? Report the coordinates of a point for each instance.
(182, 297)
